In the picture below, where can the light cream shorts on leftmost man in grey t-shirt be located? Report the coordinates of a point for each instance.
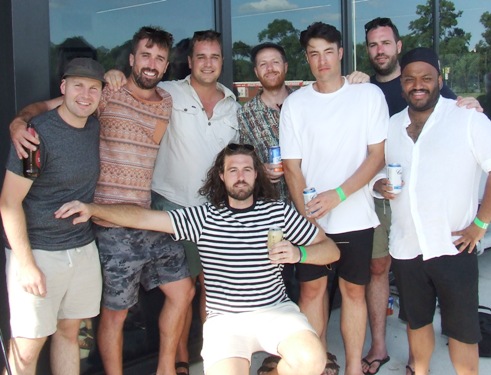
(74, 285)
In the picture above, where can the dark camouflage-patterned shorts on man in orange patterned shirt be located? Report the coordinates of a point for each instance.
(132, 256)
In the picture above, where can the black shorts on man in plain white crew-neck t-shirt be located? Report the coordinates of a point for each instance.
(354, 263)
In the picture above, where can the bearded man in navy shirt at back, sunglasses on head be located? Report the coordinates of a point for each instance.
(384, 45)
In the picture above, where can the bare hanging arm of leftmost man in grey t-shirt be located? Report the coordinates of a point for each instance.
(14, 190)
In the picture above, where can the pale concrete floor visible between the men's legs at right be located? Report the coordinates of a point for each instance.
(396, 337)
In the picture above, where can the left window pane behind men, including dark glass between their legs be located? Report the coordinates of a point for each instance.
(103, 30)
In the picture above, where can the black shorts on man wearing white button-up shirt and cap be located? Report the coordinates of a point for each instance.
(454, 280)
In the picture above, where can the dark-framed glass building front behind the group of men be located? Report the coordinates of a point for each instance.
(38, 36)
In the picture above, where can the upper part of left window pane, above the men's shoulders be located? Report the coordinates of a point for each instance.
(103, 29)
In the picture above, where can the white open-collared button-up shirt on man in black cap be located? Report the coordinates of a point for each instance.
(441, 174)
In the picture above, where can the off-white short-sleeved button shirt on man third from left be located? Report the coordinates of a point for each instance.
(191, 142)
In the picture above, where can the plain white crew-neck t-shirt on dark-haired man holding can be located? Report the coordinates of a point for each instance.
(330, 133)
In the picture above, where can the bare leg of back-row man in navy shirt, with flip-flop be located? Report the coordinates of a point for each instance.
(377, 295)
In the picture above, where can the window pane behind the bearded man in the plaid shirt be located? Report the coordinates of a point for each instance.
(279, 21)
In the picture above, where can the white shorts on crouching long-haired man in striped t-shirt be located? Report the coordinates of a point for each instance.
(240, 335)
